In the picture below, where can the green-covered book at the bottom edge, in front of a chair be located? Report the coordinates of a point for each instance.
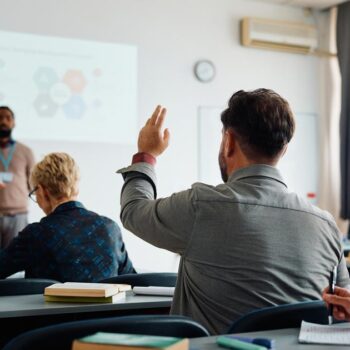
(121, 341)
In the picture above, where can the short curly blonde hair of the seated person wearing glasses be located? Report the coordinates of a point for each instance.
(58, 173)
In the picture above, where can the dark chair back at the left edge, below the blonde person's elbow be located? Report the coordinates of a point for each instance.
(23, 286)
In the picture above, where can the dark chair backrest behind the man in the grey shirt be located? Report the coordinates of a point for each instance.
(283, 316)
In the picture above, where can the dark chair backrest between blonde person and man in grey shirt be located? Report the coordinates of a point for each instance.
(162, 279)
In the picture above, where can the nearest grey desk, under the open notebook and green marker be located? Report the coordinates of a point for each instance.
(286, 339)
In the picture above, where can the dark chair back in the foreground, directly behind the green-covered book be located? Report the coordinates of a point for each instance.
(61, 336)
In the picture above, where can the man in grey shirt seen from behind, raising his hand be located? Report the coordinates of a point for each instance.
(247, 243)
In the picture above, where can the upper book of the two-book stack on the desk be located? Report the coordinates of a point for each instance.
(80, 289)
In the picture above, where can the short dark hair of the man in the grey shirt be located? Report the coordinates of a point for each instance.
(261, 120)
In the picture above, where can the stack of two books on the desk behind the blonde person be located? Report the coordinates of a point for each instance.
(77, 292)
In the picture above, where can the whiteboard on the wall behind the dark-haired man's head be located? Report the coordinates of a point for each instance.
(299, 166)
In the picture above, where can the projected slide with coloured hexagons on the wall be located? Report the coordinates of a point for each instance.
(67, 89)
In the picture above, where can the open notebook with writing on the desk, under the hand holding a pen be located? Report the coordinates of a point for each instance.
(336, 334)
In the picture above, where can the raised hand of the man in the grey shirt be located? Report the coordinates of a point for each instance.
(152, 139)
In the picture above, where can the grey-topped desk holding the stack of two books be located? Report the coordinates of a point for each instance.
(21, 313)
